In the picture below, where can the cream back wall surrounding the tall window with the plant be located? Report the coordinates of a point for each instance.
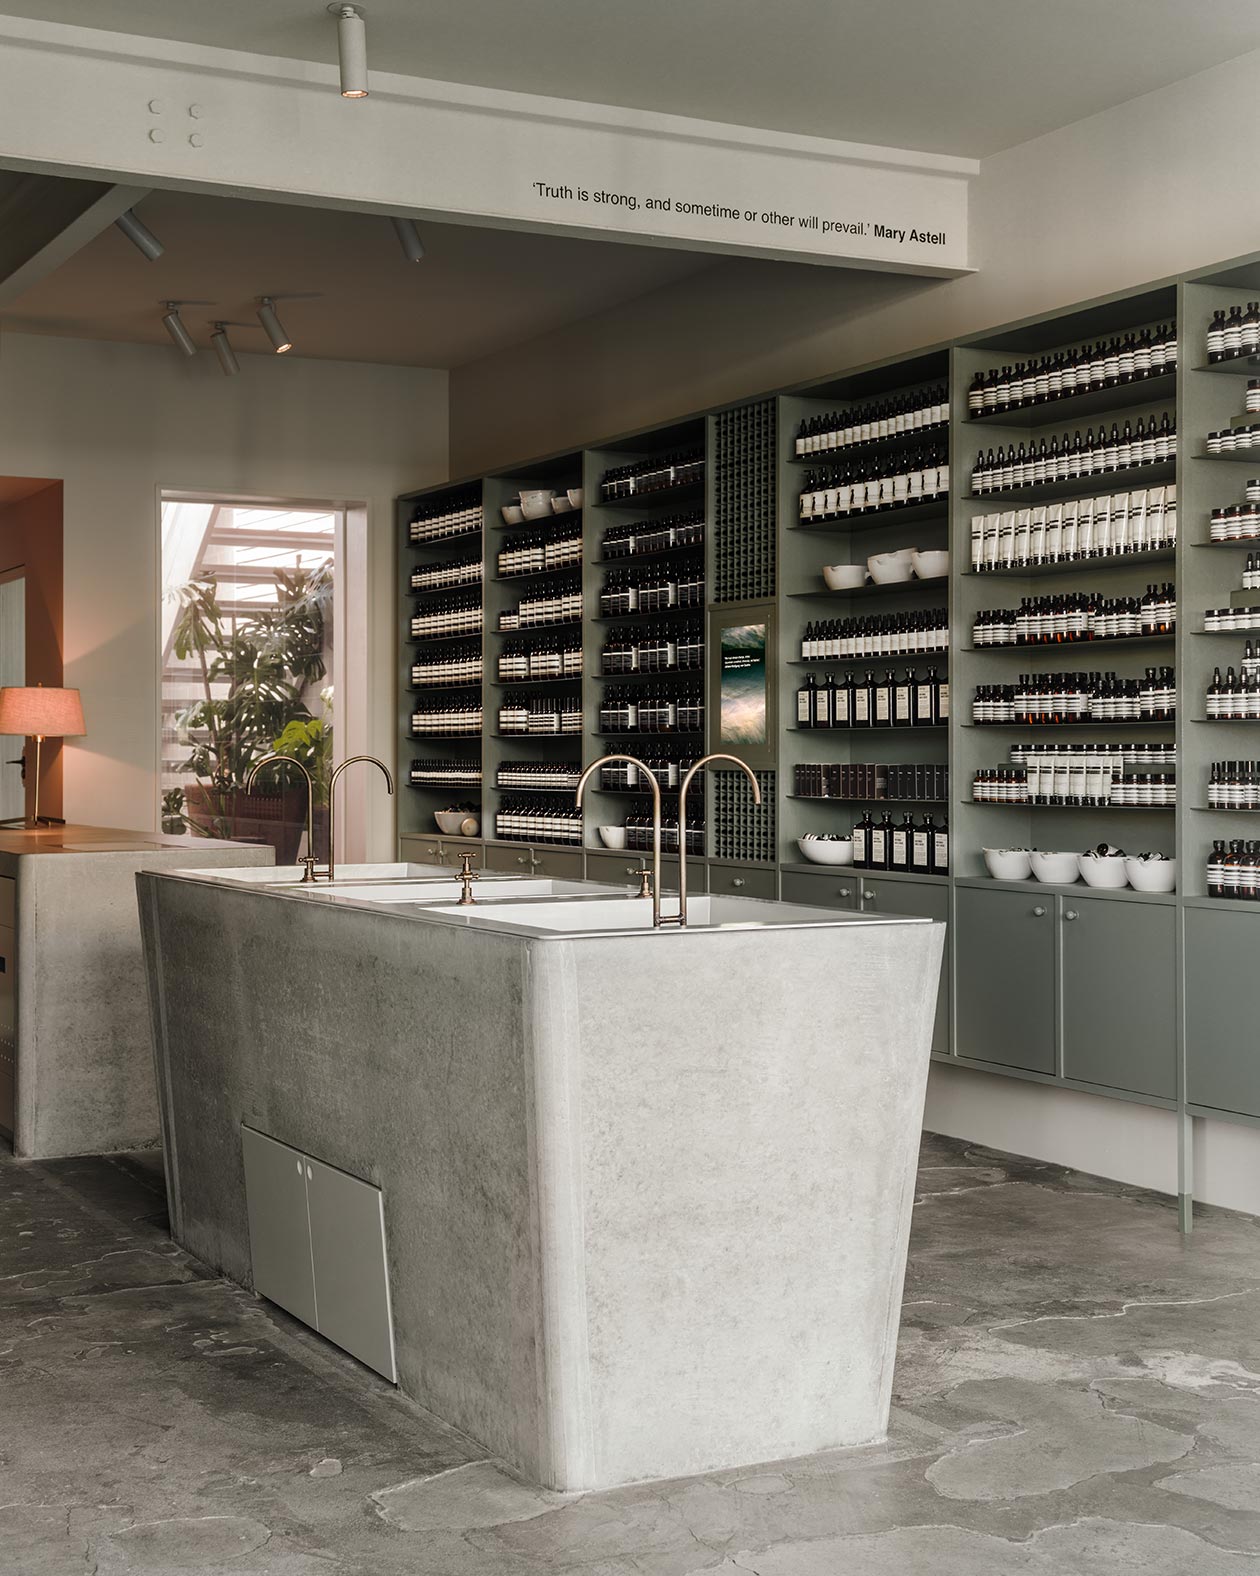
(122, 423)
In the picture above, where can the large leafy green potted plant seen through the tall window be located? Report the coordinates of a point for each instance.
(253, 675)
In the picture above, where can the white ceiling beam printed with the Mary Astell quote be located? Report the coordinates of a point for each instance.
(168, 114)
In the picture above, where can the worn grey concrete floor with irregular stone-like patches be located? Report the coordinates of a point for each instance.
(1078, 1394)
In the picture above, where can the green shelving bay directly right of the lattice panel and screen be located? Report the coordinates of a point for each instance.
(805, 546)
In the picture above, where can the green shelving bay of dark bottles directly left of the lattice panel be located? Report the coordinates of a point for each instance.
(609, 806)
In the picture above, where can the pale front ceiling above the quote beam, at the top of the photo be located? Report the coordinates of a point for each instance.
(947, 76)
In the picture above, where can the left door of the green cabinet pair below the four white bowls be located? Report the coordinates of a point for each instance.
(1005, 978)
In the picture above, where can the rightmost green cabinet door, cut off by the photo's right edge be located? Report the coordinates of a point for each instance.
(1223, 1008)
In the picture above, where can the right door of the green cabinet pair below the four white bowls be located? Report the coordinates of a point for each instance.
(1119, 1003)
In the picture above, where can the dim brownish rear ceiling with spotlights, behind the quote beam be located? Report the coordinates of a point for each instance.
(477, 291)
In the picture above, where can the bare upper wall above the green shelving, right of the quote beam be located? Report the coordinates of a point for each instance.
(1155, 187)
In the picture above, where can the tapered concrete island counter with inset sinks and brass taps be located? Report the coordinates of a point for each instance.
(621, 1203)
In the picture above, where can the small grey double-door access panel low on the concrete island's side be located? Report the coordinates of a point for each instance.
(318, 1247)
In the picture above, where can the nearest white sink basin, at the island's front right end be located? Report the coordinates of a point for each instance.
(621, 915)
